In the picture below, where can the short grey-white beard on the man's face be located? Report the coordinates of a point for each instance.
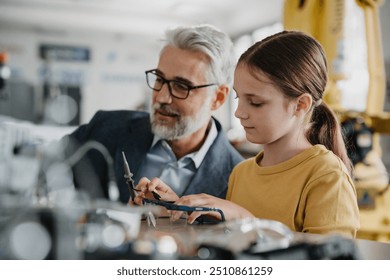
(184, 126)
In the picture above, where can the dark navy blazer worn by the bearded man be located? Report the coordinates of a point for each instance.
(130, 131)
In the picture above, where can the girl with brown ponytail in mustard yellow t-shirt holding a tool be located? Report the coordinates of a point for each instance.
(302, 176)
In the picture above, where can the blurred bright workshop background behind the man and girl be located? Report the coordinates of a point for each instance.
(62, 60)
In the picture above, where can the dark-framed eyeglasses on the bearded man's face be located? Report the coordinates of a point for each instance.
(176, 88)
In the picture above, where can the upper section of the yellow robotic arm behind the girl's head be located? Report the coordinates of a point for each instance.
(325, 20)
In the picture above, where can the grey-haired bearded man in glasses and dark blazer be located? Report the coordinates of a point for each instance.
(179, 141)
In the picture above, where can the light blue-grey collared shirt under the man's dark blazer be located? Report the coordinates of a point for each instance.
(161, 162)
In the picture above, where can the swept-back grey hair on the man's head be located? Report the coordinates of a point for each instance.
(211, 41)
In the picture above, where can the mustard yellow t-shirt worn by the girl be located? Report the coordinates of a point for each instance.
(311, 192)
